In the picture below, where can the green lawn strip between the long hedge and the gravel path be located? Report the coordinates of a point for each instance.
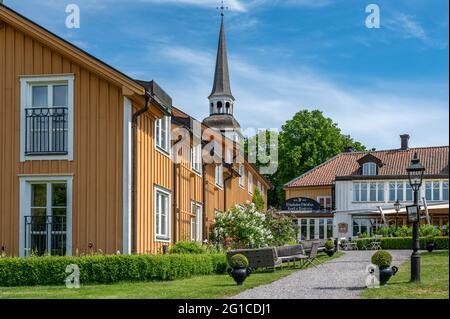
(202, 287)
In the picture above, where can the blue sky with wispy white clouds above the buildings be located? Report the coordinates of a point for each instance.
(285, 55)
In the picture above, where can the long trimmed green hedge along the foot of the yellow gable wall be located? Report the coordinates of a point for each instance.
(46, 271)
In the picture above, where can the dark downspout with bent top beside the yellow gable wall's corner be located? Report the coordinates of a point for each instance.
(134, 171)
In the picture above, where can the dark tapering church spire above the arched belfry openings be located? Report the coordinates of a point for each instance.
(221, 86)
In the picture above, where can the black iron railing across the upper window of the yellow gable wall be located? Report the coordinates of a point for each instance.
(46, 130)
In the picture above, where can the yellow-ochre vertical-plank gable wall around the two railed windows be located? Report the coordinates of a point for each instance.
(97, 164)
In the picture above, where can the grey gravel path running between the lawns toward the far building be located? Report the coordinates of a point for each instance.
(340, 278)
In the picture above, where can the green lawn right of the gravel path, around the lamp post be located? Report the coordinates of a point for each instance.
(434, 281)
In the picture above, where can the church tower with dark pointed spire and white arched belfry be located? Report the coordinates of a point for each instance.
(221, 100)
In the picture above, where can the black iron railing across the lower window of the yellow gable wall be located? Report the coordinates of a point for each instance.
(45, 235)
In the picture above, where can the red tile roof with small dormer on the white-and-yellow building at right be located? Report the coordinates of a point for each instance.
(435, 160)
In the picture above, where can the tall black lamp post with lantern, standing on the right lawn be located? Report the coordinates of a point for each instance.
(415, 176)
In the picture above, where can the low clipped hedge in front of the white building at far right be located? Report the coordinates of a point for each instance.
(402, 242)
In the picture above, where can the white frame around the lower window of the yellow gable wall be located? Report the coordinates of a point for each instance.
(25, 183)
